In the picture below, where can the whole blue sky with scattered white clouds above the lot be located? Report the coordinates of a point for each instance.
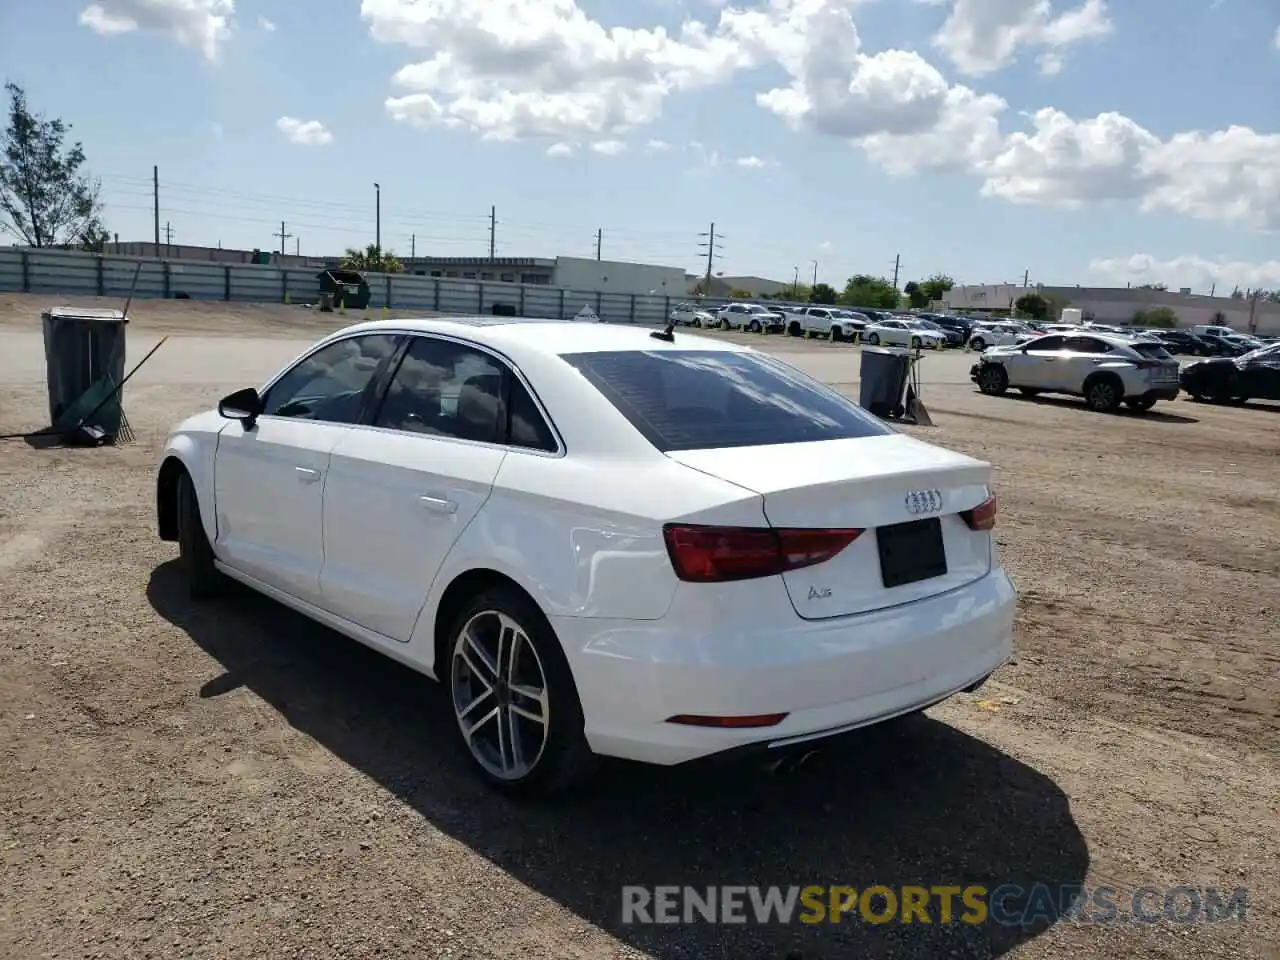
(1063, 141)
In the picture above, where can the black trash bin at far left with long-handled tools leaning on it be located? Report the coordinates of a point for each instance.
(85, 367)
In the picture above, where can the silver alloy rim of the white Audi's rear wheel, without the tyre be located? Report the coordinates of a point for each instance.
(500, 696)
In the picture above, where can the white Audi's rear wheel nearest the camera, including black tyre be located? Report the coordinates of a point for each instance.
(514, 697)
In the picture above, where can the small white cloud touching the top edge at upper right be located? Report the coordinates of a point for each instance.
(984, 36)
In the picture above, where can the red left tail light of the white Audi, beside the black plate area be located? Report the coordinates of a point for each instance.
(712, 555)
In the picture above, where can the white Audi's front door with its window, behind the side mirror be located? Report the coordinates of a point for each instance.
(269, 478)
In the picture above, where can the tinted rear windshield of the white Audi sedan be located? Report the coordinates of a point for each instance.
(703, 400)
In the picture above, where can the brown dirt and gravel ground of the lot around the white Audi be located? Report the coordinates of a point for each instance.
(234, 781)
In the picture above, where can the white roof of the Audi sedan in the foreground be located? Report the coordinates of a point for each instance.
(547, 337)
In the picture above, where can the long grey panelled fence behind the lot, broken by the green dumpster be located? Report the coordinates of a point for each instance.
(89, 275)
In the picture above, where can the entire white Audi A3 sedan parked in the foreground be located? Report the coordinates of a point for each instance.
(602, 541)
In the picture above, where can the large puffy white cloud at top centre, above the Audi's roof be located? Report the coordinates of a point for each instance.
(520, 68)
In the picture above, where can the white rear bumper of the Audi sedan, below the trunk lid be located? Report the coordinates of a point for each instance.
(826, 676)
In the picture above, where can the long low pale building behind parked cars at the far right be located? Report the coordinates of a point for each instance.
(1118, 305)
